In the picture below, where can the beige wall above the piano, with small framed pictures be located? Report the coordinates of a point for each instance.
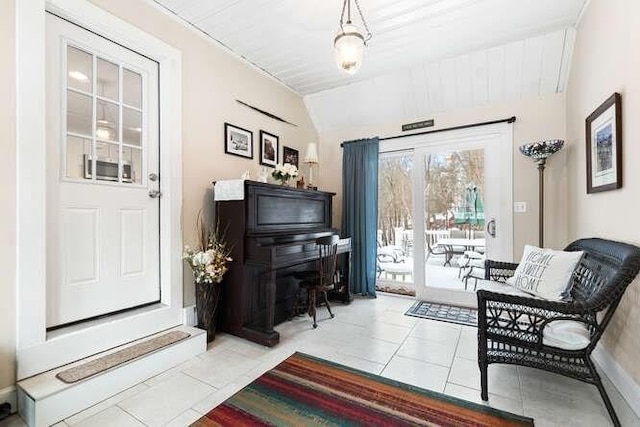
(212, 81)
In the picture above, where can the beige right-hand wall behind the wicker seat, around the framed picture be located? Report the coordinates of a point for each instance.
(606, 59)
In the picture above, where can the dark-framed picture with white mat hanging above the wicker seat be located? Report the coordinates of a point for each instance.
(604, 146)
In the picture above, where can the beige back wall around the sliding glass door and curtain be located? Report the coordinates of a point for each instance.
(537, 119)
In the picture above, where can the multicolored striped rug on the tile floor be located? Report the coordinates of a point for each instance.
(306, 391)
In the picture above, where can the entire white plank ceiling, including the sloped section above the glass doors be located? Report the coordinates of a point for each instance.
(425, 55)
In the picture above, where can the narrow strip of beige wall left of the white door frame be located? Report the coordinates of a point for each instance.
(7, 196)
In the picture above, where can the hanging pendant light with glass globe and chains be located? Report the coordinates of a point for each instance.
(350, 41)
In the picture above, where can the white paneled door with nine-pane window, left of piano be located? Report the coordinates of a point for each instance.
(102, 176)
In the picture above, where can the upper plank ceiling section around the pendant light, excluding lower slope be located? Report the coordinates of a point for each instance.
(293, 39)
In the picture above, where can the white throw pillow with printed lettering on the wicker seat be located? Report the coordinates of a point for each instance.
(545, 273)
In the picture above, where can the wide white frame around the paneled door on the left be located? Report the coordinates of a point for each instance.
(37, 350)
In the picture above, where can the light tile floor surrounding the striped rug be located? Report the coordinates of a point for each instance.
(369, 334)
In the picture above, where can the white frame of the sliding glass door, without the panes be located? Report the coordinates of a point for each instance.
(502, 133)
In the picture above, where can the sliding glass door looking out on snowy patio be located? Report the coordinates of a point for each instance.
(445, 205)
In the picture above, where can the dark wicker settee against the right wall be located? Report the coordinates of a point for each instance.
(510, 327)
